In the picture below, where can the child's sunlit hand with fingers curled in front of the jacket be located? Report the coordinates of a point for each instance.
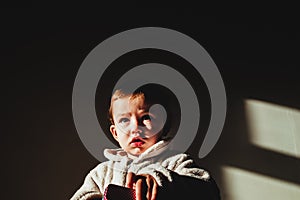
(142, 183)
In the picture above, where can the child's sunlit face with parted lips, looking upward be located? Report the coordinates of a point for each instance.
(134, 127)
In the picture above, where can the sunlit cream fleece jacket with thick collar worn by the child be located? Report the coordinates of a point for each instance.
(156, 161)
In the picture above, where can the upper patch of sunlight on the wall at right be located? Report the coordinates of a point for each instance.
(273, 127)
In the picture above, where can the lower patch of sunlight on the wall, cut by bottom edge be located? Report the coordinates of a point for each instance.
(238, 184)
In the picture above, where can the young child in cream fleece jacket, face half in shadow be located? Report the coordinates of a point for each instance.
(144, 162)
